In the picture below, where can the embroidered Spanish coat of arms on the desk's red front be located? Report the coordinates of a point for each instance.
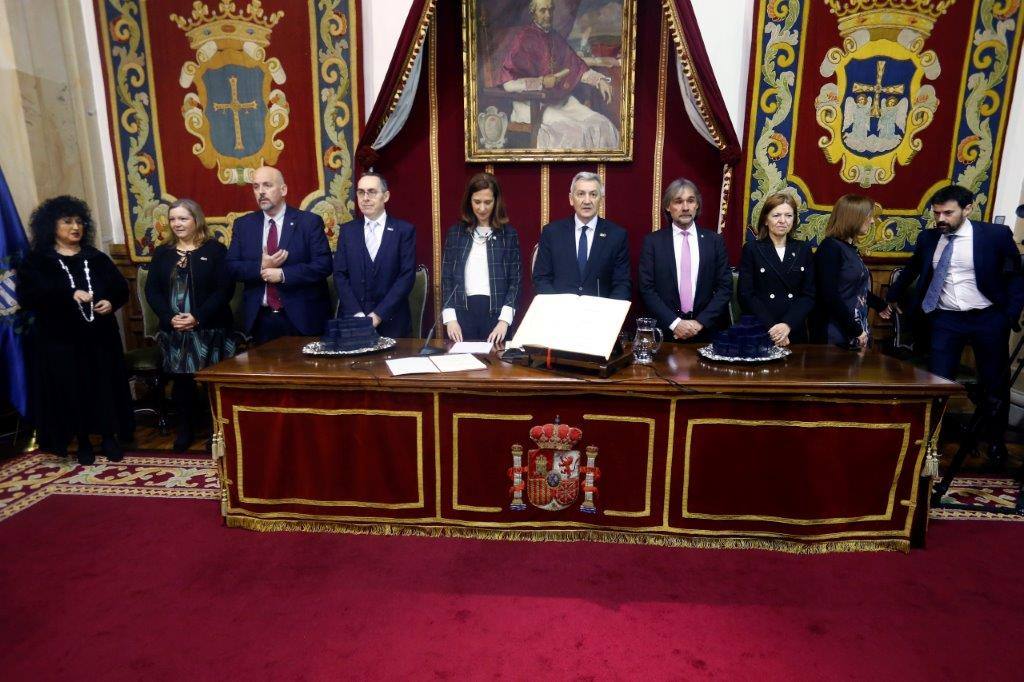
(554, 472)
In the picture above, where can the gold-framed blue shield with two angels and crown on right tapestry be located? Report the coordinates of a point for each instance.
(878, 104)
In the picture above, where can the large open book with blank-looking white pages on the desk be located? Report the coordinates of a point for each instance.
(574, 324)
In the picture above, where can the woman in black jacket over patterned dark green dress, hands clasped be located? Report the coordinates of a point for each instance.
(190, 289)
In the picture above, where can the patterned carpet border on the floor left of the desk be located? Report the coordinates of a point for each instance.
(31, 479)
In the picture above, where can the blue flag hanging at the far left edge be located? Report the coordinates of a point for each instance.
(14, 247)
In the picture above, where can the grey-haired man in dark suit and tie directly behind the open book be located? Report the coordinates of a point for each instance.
(585, 254)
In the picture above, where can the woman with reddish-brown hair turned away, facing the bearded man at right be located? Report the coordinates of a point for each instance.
(842, 280)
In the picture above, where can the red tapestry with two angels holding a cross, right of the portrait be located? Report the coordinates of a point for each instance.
(887, 99)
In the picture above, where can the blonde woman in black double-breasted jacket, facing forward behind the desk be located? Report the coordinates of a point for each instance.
(777, 276)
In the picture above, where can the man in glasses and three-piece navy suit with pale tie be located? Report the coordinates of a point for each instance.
(375, 265)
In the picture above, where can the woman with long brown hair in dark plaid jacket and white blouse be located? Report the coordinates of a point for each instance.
(481, 267)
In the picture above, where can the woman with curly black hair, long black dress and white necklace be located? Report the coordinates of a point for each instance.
(79, 381)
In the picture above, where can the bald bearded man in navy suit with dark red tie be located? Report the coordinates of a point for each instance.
(282, 257)
